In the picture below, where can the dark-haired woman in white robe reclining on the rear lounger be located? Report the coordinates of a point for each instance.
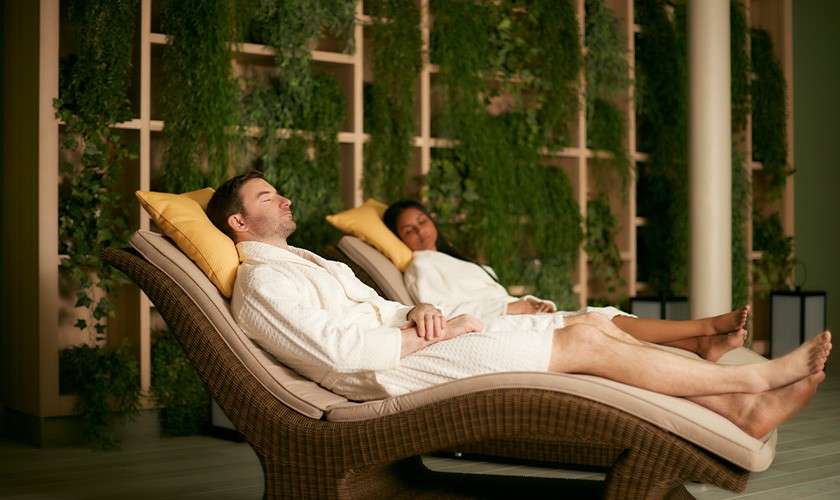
(438, 275)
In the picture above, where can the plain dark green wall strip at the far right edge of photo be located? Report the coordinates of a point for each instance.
(816, 113)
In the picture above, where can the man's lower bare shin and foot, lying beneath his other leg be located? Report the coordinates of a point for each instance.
(758, 414)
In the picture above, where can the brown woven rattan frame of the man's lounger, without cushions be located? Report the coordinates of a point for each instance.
(307, 458)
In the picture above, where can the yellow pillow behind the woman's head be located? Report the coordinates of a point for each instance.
(365, 222)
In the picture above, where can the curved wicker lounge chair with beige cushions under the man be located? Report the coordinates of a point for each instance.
(316, 444)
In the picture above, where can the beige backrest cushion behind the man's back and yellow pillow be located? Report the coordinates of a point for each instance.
(295, 391)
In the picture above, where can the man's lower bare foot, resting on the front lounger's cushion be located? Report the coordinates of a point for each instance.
(765, 411)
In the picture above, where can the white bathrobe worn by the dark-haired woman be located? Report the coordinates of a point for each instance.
(462, 287)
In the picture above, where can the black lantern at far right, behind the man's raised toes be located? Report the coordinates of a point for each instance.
(795, 316)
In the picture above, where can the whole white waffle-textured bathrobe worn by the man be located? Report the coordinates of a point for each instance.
(316, 317)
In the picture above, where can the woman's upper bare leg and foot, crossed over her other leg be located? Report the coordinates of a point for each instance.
(660, 331)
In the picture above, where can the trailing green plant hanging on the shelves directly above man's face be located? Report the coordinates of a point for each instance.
(306, 106)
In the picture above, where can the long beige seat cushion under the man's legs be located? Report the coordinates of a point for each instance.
(677, 415)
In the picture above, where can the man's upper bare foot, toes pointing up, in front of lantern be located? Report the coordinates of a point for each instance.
(805, 360)
